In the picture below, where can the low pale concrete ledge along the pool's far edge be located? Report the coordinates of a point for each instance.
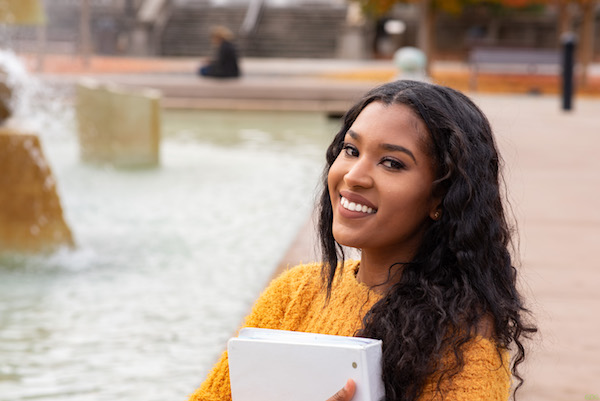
(250, 93)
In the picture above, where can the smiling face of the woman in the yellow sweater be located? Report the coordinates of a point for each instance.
(381, 182)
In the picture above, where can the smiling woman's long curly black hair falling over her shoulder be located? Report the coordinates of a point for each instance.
(462, 273)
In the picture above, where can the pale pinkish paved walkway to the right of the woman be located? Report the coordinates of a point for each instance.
(553, 174)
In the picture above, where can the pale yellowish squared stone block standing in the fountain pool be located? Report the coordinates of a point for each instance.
(118, 126)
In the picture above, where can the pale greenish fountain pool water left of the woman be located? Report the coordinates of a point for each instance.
(167, 262)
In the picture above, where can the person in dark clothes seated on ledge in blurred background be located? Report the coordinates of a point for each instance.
(225, 62)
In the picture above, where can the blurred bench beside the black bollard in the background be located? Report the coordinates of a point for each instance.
(519, 59)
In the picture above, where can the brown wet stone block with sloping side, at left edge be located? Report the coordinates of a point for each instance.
(31, 217)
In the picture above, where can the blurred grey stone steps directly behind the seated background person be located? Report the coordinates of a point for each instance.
(303, 31)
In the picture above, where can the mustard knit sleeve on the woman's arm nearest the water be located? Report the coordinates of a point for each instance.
(268, 312)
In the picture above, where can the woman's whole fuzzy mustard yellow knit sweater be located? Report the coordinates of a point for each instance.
(296, 301)
